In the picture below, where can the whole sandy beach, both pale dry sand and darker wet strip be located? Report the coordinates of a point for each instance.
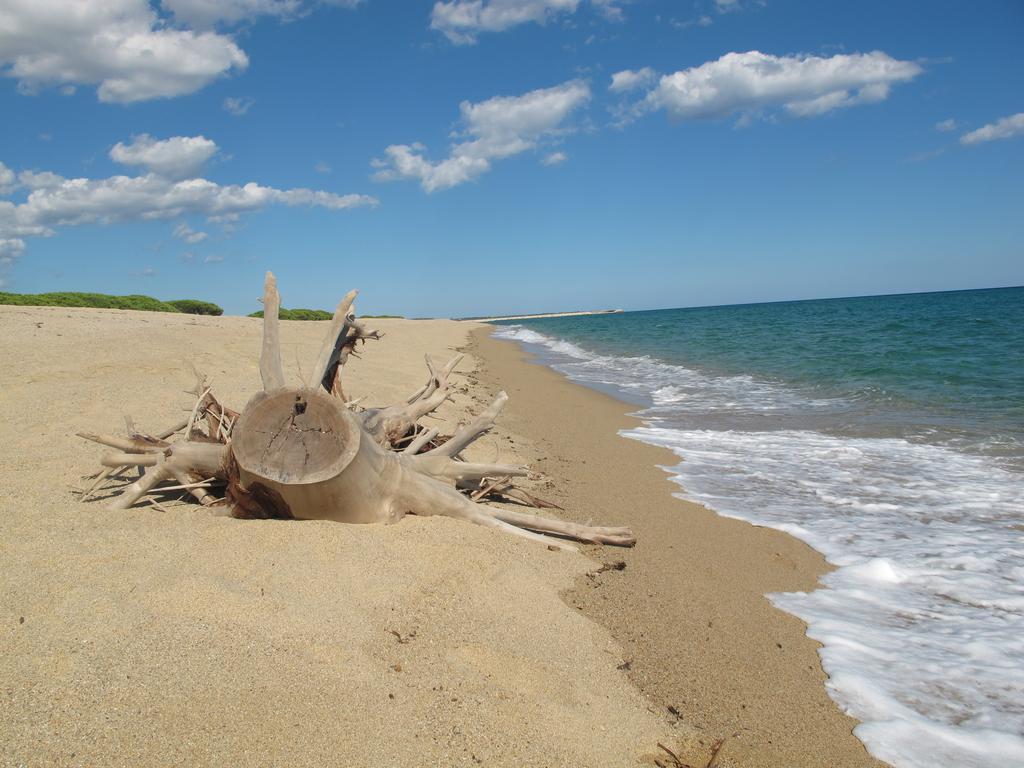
(182, 637)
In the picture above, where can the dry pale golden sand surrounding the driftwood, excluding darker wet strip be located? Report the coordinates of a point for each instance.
(183, 638)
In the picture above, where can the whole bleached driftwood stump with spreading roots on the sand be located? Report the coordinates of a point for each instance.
(312, 454)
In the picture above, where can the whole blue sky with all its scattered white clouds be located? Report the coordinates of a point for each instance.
(504, 156)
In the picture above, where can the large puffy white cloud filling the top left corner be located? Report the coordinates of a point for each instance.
(121, 46)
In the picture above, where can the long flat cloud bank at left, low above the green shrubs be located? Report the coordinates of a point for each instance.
(54, 202)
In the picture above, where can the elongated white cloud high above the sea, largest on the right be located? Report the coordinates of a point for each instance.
(752, 82)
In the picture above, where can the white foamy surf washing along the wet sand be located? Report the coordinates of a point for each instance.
(922, 624)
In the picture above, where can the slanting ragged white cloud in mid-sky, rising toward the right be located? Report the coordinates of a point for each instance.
(498, 129)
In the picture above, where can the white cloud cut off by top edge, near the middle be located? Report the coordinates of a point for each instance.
(462, 21)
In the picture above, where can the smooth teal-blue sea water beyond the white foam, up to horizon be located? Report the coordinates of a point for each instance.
(941, 367)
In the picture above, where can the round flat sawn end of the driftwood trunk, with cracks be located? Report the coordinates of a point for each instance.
(295, 437)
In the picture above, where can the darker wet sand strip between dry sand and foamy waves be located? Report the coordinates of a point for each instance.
(702, 641)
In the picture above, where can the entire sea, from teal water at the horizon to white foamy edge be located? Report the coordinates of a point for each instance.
(888, 434)
